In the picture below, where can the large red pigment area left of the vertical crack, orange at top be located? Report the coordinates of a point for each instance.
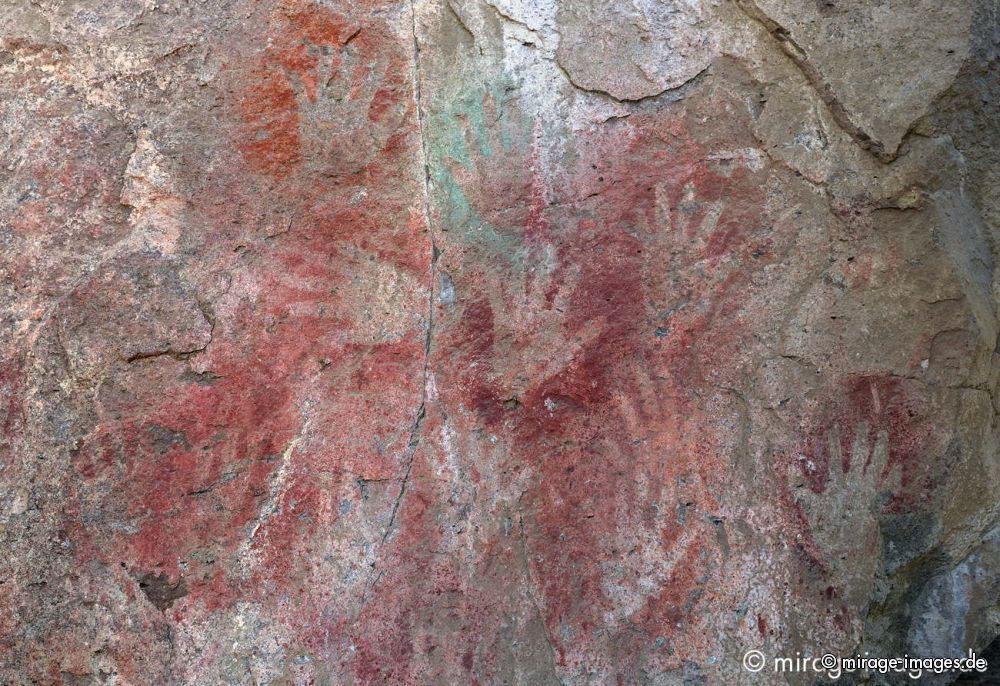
(194, 500)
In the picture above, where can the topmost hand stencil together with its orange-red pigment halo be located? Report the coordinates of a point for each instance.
(324, 98)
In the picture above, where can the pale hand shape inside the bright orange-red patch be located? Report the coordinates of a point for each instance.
(349, 104)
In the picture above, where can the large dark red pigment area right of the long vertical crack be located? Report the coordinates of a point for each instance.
(617, 426)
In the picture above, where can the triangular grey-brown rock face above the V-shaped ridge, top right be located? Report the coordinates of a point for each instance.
(881, 63)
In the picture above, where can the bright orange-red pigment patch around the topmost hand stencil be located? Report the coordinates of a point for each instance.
(271, 135)
